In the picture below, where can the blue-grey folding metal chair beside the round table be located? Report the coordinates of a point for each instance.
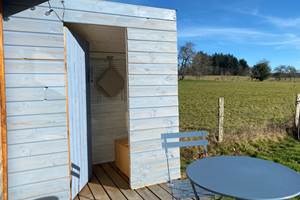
(184, 188)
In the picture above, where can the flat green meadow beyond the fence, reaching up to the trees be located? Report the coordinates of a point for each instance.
(249, 106)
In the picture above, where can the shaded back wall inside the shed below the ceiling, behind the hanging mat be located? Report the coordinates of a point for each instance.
(108, 113)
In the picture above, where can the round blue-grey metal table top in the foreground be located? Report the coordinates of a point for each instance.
(245, 177)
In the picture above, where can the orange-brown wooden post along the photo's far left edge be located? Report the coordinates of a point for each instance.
(3, 110)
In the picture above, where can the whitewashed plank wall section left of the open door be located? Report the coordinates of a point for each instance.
(36, 106)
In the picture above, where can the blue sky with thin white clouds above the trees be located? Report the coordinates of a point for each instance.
(249, 29)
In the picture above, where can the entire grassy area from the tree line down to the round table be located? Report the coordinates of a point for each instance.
(256, 117)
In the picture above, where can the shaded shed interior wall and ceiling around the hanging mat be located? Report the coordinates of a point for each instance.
(108, 114)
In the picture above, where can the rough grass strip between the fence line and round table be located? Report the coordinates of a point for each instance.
(284, 150)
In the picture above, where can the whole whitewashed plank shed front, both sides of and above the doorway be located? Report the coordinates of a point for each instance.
(37, 130)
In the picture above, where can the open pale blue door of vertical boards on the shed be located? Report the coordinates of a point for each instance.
(76, 62)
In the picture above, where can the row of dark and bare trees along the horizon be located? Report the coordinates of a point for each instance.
(200, 63)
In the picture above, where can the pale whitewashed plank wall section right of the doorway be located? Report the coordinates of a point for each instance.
(153, 103)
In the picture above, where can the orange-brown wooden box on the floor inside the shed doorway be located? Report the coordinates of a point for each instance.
(122, 155)
